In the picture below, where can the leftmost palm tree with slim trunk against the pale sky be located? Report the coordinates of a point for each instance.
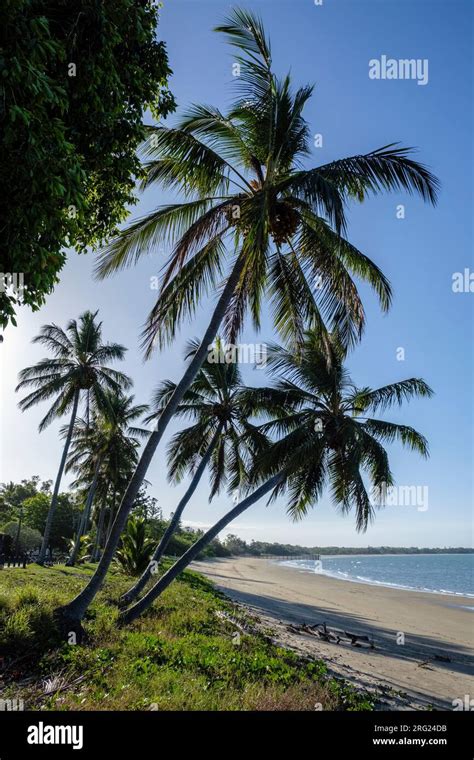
(79, 366)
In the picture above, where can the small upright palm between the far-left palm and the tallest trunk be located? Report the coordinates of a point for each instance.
(95, 445)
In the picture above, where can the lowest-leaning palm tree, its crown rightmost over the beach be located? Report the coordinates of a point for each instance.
(328, 439)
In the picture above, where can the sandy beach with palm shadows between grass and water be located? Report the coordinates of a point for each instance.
(433, 666)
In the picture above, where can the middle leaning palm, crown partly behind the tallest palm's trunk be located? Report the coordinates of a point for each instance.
(221, 436)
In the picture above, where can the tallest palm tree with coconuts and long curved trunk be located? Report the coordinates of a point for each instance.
(254, 220)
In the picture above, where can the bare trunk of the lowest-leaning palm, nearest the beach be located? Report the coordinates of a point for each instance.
(133, 612)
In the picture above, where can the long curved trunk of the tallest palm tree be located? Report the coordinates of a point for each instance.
(75, 610)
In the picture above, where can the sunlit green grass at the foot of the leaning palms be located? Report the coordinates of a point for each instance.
(180, 656)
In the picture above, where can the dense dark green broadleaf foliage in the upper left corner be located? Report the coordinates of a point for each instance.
(76, 77)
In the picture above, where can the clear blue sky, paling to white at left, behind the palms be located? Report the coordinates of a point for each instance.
(329, 45)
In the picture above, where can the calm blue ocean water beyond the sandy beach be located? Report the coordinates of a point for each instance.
(440, 573)
